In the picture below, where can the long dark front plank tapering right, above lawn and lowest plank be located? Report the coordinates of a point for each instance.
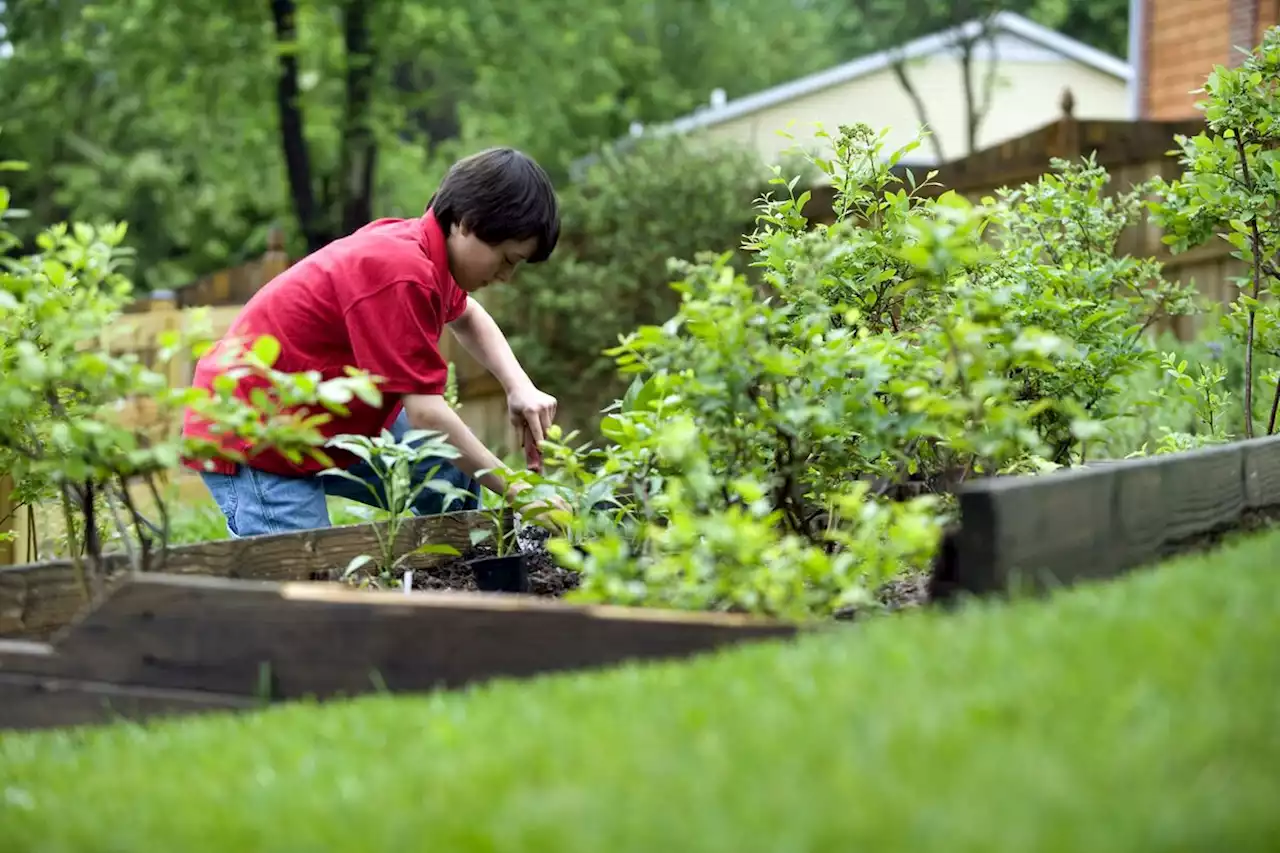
(324, 641)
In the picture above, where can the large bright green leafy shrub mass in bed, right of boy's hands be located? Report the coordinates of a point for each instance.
(792, 444)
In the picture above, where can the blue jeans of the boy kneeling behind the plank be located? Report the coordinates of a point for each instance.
(259, 503)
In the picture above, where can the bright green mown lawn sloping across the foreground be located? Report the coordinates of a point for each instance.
(1135, 717)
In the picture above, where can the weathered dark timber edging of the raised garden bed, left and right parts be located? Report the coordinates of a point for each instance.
(257, 627)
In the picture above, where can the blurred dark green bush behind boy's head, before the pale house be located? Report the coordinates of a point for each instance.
(630, 215)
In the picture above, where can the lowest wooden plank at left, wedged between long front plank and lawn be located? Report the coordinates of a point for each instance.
(43, 703)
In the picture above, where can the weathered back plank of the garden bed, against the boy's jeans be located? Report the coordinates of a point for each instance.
(36, 600)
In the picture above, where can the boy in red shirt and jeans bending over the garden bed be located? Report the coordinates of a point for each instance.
(380, 300)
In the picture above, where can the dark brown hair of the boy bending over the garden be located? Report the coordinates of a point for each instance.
(500, 195)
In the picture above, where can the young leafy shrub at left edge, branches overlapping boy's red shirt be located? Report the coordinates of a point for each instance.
(66, 400)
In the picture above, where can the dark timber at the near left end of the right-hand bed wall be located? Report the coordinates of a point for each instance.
(1036, 531)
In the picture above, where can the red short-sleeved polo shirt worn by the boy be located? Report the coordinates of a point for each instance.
(377, 300)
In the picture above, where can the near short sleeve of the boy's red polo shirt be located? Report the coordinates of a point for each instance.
(395, 335)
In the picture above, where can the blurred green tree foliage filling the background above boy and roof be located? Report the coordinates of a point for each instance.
(166, 116)
